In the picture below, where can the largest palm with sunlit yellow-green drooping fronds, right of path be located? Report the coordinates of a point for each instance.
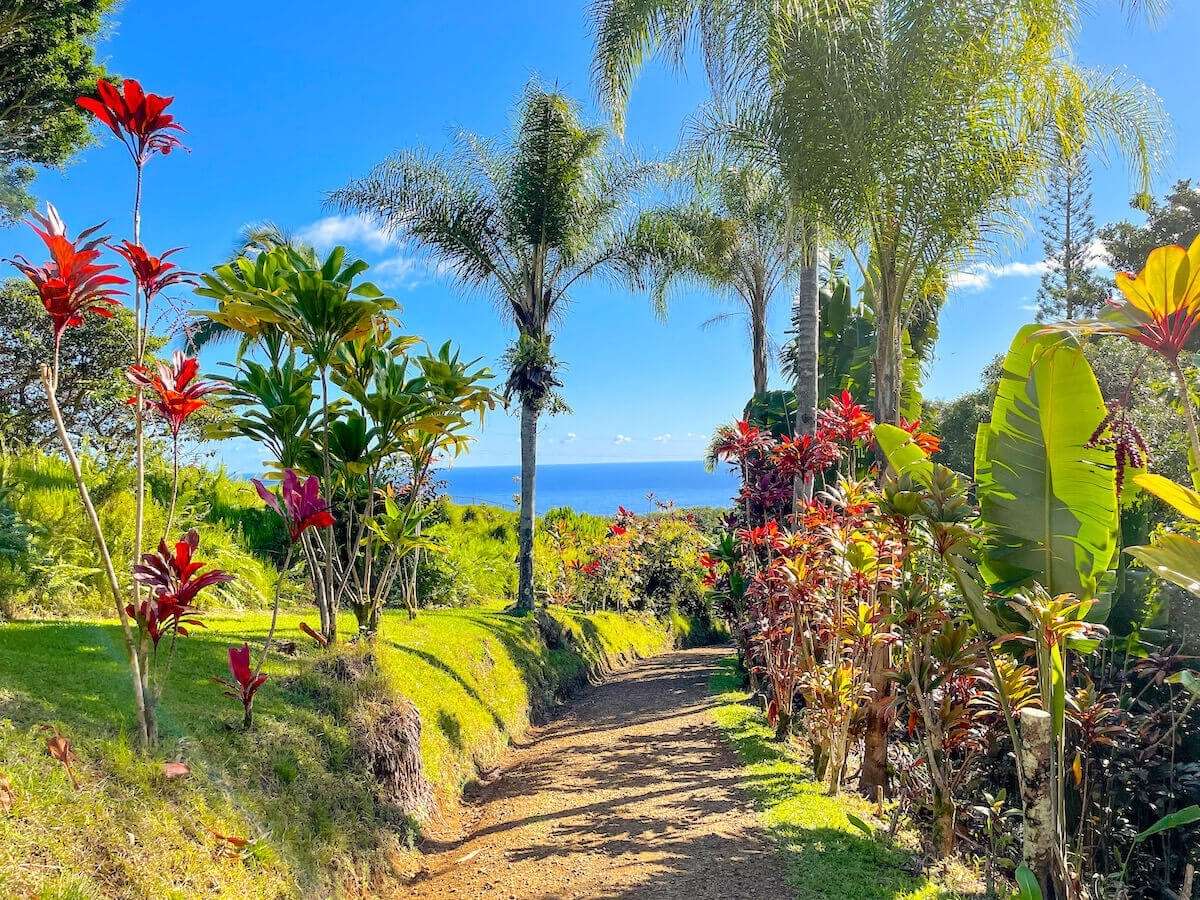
(927, 127)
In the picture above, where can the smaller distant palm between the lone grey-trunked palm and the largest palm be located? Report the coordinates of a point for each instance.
(739, 235)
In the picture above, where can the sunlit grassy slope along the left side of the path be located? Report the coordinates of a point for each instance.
(292, 784)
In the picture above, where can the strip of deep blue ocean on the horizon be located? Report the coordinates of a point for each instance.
(596, 488)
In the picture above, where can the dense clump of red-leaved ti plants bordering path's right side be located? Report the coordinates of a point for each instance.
(817, 579)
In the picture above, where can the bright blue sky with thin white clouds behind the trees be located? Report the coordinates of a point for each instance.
(283, 107)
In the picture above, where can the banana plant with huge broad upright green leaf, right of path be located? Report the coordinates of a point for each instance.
(1033, 566)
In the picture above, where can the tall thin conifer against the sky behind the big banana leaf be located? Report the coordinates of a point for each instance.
(1071, 289)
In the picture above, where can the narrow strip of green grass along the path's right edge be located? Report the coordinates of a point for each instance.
(829, 859)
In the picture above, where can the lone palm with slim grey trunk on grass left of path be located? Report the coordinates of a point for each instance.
(525, 223)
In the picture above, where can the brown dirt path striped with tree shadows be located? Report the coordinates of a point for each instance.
(633, 795)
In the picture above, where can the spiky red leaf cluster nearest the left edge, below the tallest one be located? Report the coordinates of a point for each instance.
(71, 285)
